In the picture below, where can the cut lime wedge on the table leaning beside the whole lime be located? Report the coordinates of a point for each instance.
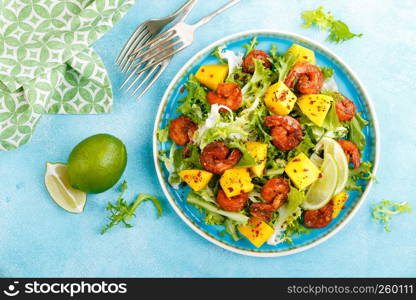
(57, 184)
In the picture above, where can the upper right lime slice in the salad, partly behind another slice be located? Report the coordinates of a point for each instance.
(333, 148)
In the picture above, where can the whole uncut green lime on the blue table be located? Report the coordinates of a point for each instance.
(97, 163)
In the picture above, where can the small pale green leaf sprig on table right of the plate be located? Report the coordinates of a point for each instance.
(386, 209)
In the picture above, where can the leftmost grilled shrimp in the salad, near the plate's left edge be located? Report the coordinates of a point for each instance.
(181, 130)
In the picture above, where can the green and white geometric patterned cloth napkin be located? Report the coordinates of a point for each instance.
(47, 64)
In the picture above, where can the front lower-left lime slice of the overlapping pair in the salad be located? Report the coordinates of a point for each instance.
(322, 190)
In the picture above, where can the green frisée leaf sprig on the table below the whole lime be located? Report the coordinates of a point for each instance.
(121, 212)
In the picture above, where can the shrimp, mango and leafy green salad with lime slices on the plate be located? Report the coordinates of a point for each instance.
(267, 144)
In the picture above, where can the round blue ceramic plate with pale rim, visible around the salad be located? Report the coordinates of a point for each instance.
(348, 84)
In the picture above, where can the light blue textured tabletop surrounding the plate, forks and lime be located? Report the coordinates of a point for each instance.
(37, 238)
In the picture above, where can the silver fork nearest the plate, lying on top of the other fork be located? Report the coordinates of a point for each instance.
(168, 43)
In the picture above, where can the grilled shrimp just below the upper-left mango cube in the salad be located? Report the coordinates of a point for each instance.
(228, 94)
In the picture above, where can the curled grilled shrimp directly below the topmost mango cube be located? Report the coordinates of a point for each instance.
(305, 78)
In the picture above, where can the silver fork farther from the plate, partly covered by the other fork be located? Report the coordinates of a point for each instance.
(146, 32)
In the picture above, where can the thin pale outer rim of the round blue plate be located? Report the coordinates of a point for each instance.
(207, 50)
